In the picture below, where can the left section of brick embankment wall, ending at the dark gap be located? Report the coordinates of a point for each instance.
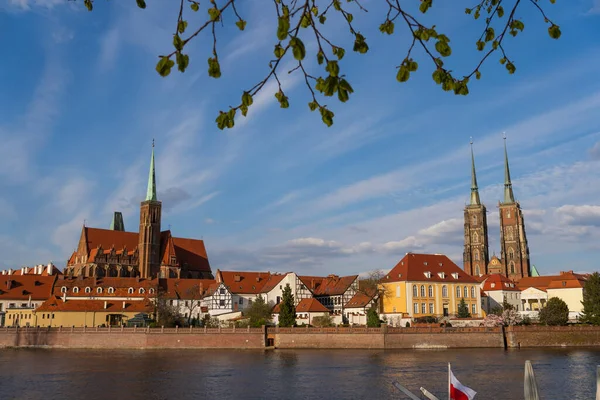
(130, 338)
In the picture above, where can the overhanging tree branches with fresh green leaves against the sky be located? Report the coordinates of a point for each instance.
(305, 20)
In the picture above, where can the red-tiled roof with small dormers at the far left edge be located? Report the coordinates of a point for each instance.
(21, 287)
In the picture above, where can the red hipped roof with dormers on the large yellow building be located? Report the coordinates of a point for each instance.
(414, 268)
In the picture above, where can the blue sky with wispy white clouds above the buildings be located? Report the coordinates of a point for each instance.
(80, 103)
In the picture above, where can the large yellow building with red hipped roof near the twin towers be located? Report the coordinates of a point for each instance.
(428, 284)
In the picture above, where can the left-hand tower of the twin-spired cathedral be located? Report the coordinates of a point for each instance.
(476, 254)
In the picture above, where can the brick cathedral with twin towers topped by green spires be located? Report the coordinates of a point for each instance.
(514, 260)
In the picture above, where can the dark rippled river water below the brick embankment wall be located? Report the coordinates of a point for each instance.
(289, 374)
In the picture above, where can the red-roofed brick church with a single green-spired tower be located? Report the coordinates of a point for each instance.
(149, 253)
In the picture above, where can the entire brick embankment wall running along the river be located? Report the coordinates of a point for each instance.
(302, 338)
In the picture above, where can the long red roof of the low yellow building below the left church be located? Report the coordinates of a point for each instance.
(55, 304)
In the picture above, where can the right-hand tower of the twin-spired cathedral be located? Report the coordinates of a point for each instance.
(513, 240)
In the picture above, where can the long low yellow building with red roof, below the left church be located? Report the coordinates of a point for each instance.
(91, 313)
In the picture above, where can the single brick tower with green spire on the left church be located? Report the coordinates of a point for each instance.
(149, 236)
